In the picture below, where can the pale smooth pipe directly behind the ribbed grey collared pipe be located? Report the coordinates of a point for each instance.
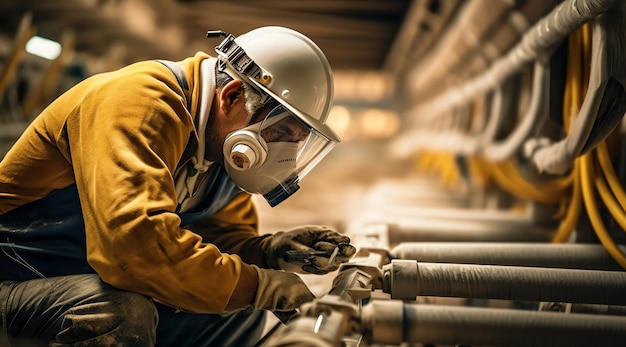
(569, 256)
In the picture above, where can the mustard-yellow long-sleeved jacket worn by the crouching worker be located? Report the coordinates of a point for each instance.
(119, 136)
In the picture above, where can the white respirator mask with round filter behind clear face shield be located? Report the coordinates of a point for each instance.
(270, 157)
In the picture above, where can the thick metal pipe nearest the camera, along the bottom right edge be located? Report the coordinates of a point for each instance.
(394, 322)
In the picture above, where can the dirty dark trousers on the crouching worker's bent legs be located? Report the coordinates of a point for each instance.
(81, 310)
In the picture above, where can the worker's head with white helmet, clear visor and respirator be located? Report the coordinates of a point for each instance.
(288, 89)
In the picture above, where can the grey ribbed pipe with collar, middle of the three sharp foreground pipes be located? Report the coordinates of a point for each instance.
(406, 279)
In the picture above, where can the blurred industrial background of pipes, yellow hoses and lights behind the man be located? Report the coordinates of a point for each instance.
(462, 121)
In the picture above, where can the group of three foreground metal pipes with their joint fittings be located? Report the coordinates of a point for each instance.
(572, 273)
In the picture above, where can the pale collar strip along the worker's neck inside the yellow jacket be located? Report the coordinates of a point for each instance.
(186, 179)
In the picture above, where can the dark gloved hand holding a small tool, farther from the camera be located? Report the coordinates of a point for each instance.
(309, 238)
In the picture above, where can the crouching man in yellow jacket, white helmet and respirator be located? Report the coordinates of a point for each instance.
(127, 202)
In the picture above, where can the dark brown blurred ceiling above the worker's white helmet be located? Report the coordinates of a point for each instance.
(355, 34)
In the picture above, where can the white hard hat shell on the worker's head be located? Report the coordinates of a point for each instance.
(289, 67)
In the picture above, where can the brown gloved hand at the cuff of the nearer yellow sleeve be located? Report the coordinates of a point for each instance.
(280, 291)
